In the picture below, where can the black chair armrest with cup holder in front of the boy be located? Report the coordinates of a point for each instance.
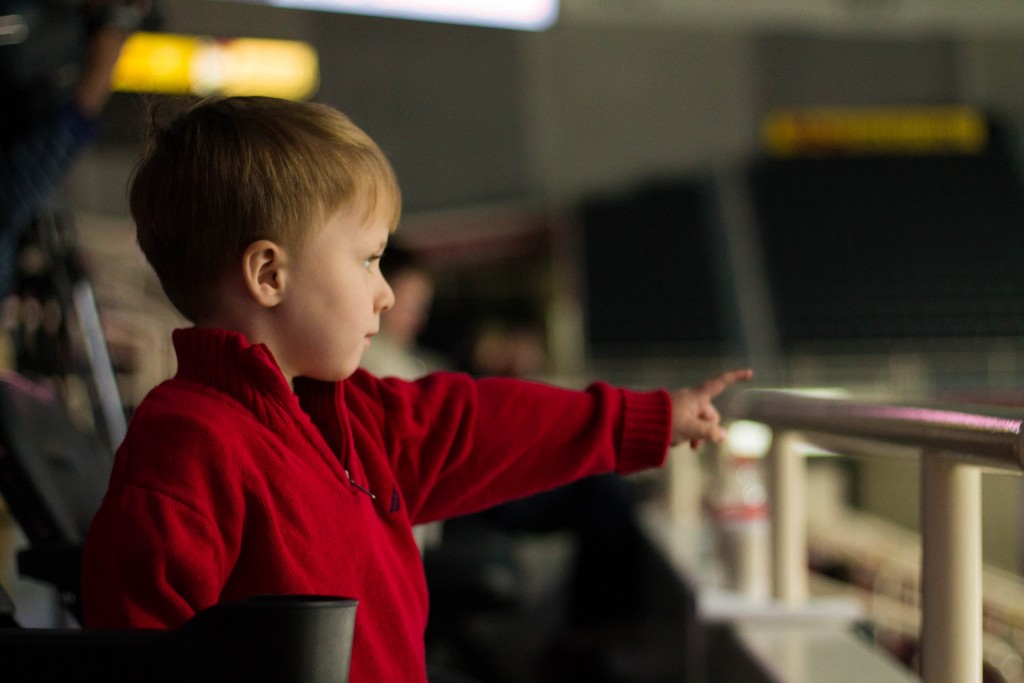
(272, 638)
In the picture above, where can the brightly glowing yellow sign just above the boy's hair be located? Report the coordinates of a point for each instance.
(192, 65)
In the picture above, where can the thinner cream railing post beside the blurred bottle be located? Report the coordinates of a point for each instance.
(789, 506)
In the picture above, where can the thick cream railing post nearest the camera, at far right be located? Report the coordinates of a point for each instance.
(951, 522)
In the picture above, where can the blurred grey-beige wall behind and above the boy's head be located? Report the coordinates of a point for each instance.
(478, 116)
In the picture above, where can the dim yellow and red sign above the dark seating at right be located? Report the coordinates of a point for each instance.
(907, 131)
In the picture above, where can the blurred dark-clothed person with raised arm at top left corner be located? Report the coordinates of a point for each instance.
(57, 76)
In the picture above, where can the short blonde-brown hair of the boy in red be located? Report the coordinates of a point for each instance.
(227, 173)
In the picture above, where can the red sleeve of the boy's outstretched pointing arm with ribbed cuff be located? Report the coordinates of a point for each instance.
(459, 445)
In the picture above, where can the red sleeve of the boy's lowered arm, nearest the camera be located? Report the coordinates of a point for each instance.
(167, 533)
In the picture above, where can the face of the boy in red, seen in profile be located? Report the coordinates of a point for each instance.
(335, 297)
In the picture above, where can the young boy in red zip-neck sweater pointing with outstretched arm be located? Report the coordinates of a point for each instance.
(271, 463)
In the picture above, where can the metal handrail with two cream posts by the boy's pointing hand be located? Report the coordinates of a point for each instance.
(955, 447)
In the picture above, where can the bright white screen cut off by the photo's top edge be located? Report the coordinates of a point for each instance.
(523, 15)
